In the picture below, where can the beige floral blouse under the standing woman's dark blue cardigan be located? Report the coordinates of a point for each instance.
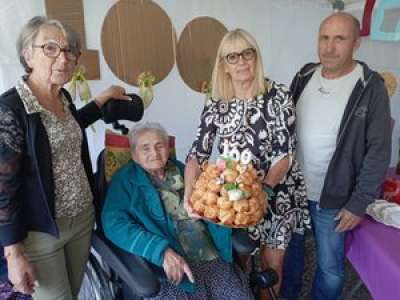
(72, 190)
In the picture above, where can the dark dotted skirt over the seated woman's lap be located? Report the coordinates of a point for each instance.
(214, 280)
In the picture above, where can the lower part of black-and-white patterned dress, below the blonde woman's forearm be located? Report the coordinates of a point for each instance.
(287, 212)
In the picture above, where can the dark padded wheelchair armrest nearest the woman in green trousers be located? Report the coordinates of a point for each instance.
(132, 269)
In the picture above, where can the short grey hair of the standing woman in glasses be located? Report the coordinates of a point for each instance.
(30, 31)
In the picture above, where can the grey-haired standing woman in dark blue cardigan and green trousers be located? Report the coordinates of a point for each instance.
(46, 179)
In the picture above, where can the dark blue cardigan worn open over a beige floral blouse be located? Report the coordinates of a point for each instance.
(29, 205)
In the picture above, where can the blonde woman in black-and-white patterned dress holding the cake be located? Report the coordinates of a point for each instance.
(255, 115)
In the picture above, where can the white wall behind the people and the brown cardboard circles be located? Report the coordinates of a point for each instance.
(286, 31)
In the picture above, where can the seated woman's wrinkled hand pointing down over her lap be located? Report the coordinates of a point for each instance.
(175, 267)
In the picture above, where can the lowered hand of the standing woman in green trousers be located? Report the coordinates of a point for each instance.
(20, 271)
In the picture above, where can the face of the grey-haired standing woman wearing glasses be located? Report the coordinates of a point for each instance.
(52, 71)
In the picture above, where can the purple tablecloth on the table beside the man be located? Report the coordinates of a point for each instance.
(374, 251)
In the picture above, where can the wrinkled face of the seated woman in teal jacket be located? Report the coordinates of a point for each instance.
(151, 151)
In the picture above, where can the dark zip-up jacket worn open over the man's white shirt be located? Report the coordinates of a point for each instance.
(363, 145)
